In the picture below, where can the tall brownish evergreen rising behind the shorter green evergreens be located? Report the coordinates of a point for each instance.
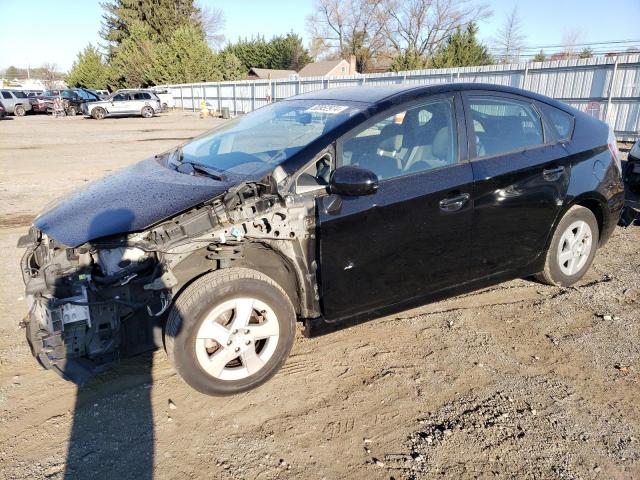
(161, 17)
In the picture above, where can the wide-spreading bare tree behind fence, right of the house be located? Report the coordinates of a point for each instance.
(418, 27)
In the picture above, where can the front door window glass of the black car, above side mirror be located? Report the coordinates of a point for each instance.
(411, 141)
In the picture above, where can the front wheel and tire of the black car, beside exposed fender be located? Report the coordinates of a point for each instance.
(245, 353)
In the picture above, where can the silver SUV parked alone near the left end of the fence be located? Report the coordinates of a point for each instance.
(125, 102)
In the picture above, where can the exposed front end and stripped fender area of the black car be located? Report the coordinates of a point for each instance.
(108, 299)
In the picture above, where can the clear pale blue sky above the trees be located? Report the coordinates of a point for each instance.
(55, 30)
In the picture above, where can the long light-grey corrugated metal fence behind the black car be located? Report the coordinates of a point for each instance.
(605, 87)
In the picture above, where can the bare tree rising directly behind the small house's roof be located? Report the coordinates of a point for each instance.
(341, 28)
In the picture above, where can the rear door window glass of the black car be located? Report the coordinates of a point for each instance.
(503, 125)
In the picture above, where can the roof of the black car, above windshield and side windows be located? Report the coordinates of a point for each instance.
(366, 94)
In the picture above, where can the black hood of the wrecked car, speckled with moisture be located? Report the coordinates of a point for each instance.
(128, 200)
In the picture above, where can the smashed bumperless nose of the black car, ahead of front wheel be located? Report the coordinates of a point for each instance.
(91, 305)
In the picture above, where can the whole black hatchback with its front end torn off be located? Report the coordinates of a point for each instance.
(331, 207)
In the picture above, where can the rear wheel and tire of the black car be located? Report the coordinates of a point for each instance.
(579, 225)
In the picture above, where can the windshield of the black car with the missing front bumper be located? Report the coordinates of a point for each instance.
(257, 142)
